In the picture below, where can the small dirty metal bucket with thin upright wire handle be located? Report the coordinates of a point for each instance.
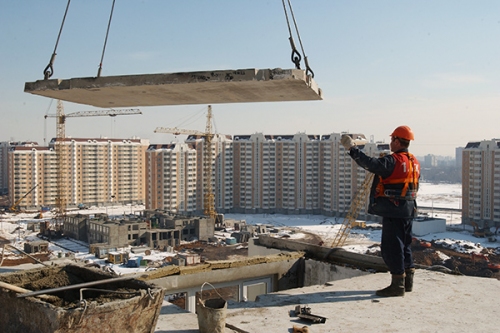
(211, 313)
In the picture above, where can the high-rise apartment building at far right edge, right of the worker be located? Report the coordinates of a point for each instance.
(481, 183)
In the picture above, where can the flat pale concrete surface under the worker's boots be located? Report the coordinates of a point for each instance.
(439, 303)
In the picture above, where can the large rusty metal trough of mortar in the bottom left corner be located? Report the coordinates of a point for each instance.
(117, 305)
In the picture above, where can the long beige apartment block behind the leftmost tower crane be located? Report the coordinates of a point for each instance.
(95, 172)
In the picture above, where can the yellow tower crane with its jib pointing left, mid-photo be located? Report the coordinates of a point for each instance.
(208, 197)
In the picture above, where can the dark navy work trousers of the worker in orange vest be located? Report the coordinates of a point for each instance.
(396, 244)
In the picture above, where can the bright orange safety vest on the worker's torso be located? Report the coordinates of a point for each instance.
(403, 182)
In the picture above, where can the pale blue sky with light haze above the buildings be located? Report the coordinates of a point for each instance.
(432, 65)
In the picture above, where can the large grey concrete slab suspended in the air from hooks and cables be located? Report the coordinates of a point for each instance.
(208, 87)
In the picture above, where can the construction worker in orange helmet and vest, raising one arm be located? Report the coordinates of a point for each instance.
(393, 197)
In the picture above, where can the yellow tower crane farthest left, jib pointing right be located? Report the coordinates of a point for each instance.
(59, 141)
